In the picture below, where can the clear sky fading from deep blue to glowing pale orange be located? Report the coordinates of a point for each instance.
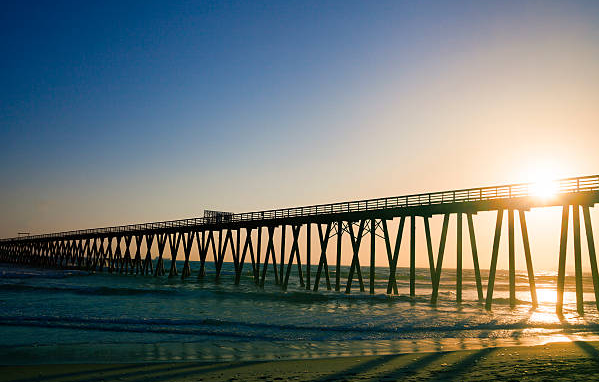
(123, 112)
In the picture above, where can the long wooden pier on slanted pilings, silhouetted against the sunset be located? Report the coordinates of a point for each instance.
(240, 235)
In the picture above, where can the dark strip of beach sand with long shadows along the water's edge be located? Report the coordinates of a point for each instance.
(565, 361)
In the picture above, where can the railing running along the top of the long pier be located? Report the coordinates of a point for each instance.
(558, 187)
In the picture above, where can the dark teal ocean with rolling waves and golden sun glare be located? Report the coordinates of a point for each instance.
(70, 316)
